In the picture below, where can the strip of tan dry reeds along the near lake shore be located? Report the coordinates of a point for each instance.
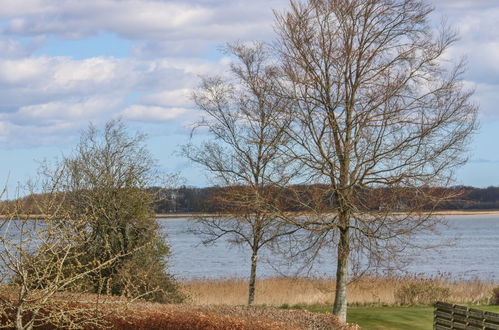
(308, 291)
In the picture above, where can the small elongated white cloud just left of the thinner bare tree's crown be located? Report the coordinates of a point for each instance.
(152, 114)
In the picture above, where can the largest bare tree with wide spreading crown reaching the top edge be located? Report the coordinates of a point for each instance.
(376, 108)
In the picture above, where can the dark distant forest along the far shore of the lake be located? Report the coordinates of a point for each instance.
(214, 199)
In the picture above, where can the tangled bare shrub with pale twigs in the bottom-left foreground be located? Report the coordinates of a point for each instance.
(42, 257)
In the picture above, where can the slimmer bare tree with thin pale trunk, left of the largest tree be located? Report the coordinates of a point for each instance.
(248, 129)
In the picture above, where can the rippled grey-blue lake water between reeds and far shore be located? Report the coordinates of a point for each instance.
(474, 253)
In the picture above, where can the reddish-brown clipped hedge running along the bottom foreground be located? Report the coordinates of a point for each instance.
(141, 315)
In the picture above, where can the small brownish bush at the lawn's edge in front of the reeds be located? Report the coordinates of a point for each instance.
(424, 292)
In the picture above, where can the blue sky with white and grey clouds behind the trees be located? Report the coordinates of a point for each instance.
(65, 63)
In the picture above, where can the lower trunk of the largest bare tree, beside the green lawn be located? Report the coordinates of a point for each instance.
(340, 299)
